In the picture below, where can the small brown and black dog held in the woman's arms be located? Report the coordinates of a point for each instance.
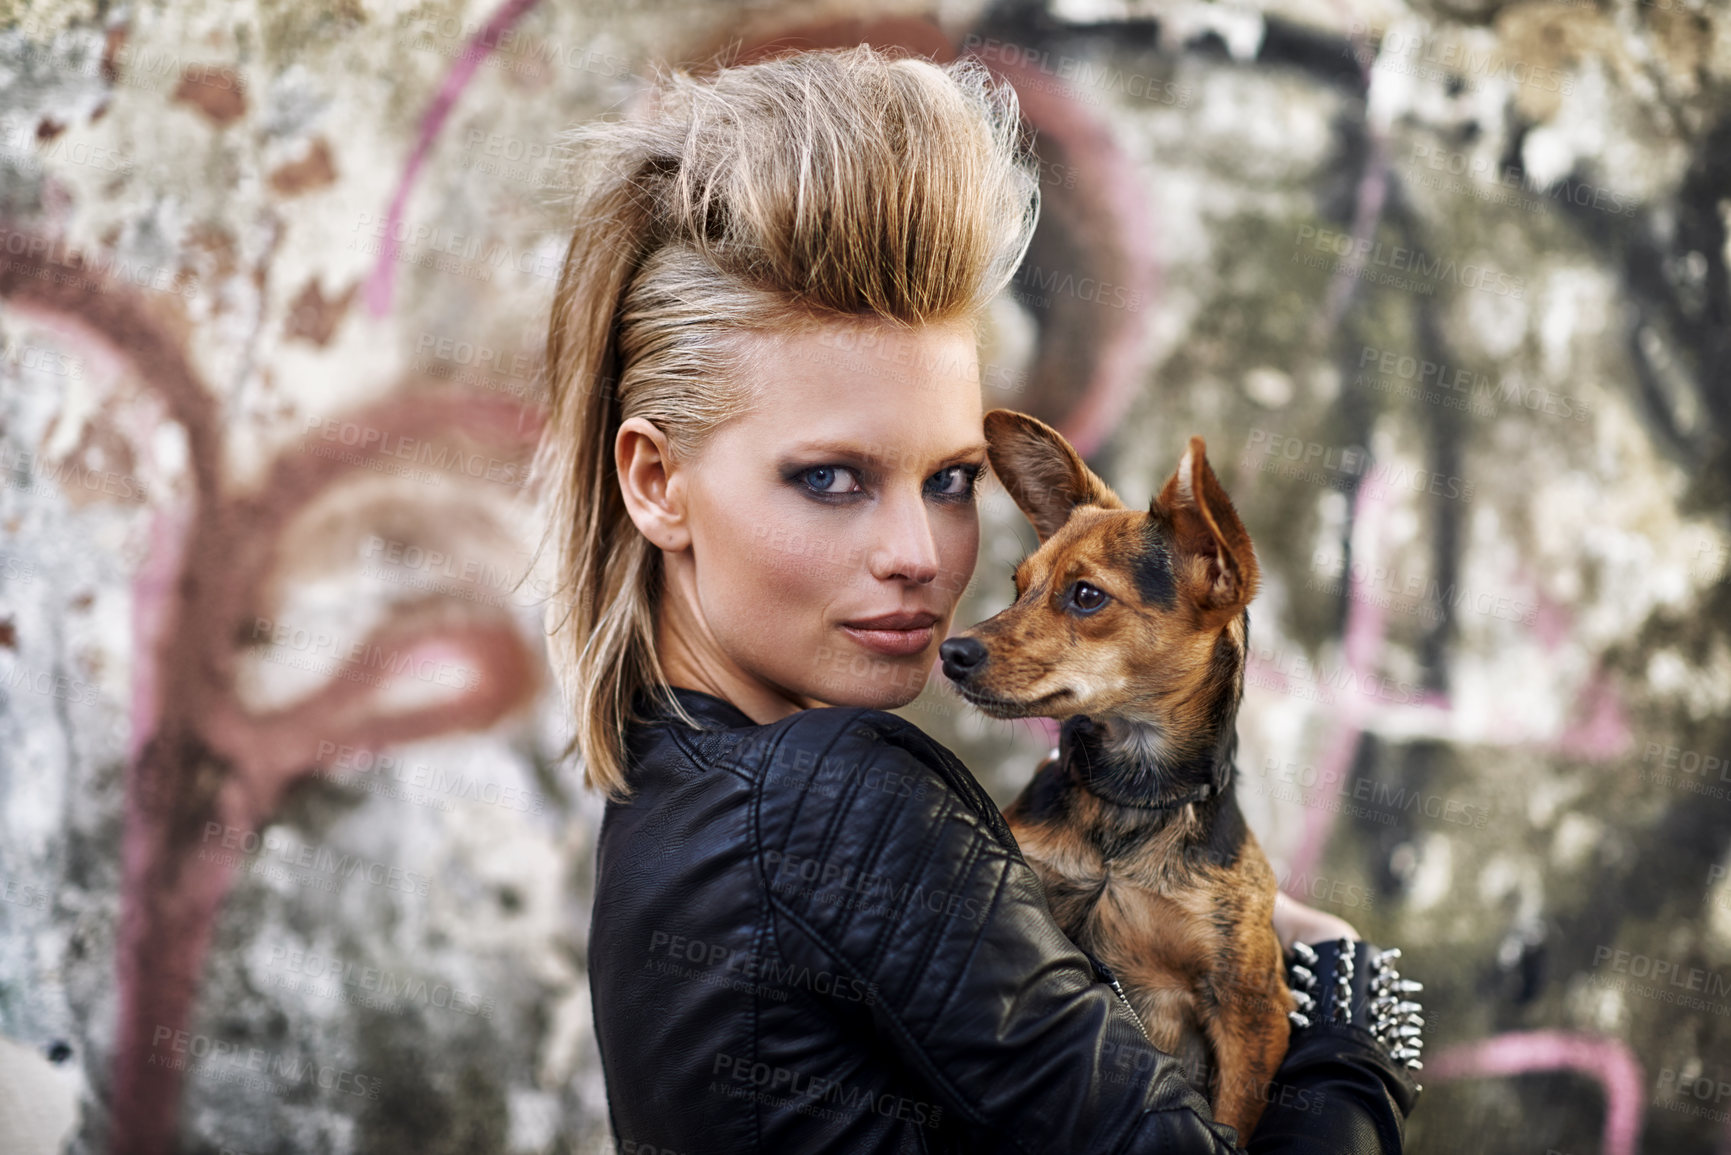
(1131, 626)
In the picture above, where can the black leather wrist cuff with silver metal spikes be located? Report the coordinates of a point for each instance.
(1346, 981)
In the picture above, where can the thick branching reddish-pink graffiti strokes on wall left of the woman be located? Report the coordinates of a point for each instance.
(200, 754)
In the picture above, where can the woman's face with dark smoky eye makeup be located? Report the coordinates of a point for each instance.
(830, 532)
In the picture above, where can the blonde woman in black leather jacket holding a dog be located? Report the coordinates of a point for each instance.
(813, 931)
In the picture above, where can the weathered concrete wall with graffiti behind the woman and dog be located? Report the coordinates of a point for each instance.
(1445, 288)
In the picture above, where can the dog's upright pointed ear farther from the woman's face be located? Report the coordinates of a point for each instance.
(1207, 531)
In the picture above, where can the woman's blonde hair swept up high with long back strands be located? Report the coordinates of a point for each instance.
(814, 188)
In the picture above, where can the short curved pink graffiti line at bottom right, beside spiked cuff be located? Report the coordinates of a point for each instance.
(1606, 1061)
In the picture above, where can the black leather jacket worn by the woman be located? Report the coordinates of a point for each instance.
(820, 936)
